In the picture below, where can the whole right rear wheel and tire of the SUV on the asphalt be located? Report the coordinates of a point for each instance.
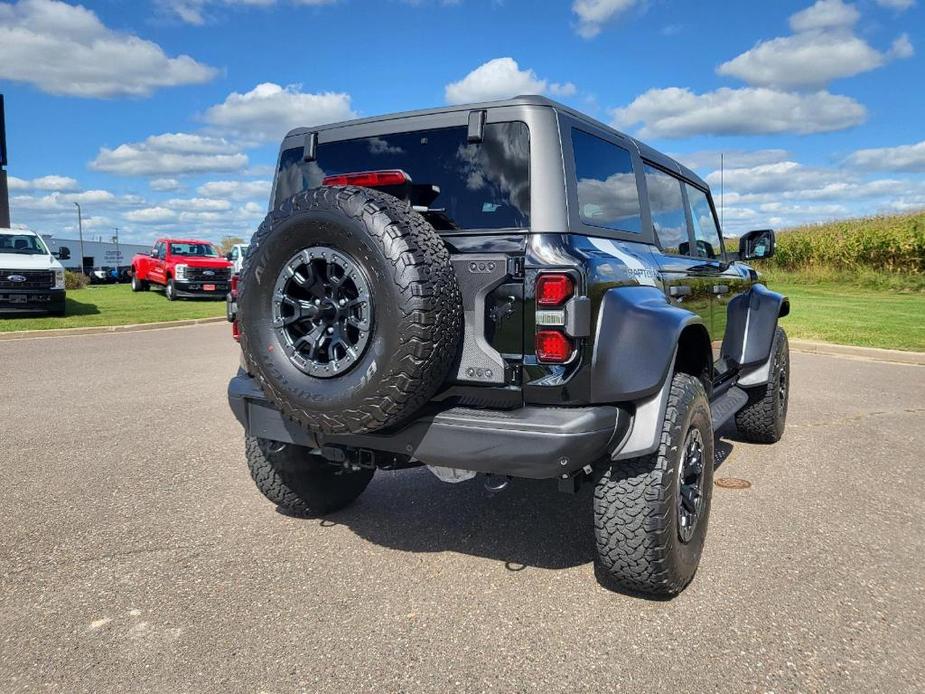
(651, 513)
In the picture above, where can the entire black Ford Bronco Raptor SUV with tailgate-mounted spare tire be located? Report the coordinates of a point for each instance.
(508, 288)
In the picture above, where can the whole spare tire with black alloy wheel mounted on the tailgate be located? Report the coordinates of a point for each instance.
(349, 310)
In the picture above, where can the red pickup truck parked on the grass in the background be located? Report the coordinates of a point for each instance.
(184, 268)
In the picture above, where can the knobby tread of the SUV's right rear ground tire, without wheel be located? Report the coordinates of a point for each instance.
(634, 505)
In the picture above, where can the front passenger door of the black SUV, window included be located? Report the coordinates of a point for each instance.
(726, 281)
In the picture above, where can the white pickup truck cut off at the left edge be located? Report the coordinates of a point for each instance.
(31, 278)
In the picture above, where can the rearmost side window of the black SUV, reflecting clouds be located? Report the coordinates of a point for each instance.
(607, 193)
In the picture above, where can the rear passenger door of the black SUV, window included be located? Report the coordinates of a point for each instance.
(680, 267)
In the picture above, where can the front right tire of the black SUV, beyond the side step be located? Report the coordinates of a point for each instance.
(764, 417)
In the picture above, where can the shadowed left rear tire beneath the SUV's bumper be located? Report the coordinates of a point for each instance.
(299, 482)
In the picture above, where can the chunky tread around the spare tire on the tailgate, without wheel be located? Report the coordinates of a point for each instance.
(432, 315)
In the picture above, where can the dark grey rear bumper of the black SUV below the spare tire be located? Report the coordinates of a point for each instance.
(533, 442)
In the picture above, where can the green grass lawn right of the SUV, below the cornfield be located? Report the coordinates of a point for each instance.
(844, 315)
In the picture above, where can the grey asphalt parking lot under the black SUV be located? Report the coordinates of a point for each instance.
(136, 554)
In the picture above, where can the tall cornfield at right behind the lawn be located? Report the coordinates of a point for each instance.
(890, 244)
